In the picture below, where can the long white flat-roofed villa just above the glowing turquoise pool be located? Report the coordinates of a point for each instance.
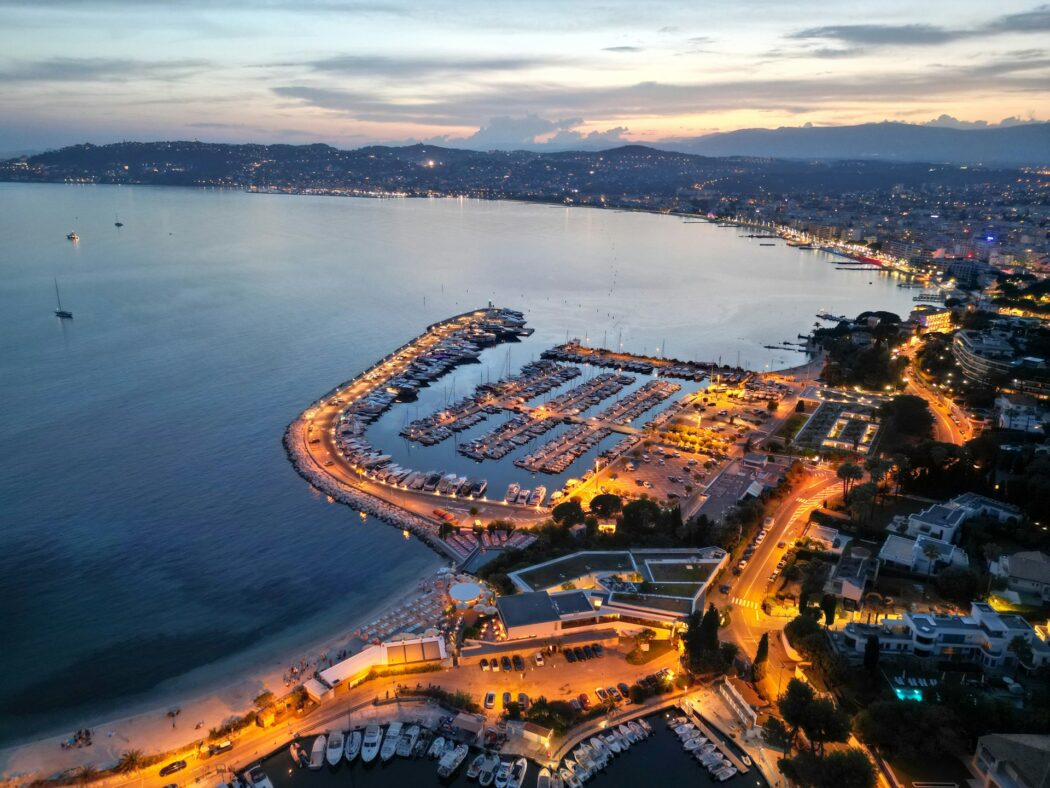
(981, 638)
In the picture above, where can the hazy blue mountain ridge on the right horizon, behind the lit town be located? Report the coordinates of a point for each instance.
(1022, 144)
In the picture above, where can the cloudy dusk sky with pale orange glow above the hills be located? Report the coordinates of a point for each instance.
(545, 74)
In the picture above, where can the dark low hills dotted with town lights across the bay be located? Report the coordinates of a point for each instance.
(632, 176)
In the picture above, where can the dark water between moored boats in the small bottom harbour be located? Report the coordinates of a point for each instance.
(662, 752)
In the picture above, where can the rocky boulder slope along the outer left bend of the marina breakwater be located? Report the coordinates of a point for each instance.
(425, 530)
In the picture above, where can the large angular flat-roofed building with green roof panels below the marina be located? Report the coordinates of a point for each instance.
(624, 590)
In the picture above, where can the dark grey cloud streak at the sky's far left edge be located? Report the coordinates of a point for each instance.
(100, 70)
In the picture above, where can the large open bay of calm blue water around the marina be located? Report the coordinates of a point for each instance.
(150, 523)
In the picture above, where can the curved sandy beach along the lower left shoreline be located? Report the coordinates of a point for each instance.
(146, 725)
